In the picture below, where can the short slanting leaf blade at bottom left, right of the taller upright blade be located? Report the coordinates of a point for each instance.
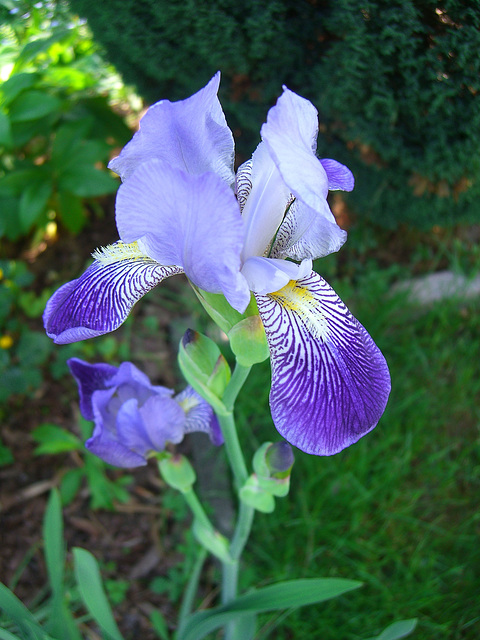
(91, 589)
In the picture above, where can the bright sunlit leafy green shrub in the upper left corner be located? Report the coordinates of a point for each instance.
(56, 127)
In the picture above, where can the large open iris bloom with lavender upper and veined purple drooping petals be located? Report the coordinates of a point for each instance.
(181, 208)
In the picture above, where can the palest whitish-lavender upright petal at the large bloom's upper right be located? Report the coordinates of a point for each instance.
(290, 134)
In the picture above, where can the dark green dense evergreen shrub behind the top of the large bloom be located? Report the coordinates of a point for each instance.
(396, 82)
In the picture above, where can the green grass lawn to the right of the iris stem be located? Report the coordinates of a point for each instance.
(399, 510)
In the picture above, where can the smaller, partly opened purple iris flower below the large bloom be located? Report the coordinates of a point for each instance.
(134, 418)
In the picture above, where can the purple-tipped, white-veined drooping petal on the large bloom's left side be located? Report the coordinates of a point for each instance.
(101, 299)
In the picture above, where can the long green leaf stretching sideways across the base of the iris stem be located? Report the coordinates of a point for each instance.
(284, 595)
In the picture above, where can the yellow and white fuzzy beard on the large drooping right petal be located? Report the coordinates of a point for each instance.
(300, 301)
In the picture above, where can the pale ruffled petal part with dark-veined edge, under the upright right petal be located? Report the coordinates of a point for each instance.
(304, 233)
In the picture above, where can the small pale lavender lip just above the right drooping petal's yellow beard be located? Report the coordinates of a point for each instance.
(265, 275)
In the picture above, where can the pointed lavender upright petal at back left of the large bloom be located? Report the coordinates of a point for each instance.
(191, 135)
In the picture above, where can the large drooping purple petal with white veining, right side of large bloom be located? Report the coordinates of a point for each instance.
(330, 382)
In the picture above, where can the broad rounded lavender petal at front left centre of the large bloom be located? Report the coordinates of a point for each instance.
(190, 221)
